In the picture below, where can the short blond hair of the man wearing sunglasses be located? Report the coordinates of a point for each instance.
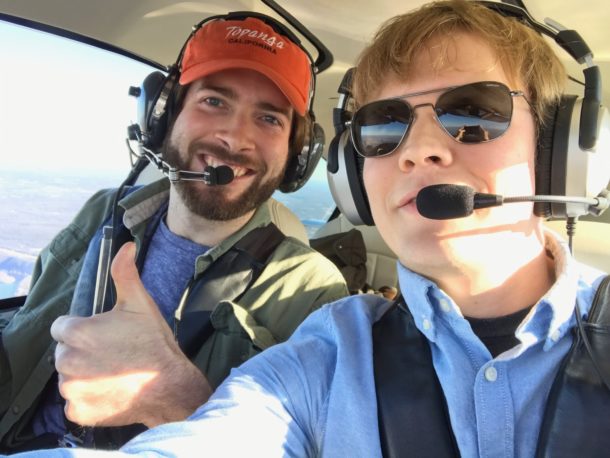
(524, 54)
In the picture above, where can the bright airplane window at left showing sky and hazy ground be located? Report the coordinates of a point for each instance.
(64, 109)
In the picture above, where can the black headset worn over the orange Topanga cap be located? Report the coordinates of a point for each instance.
(159, 102)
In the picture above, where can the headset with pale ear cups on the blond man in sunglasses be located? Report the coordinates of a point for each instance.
(573, 144)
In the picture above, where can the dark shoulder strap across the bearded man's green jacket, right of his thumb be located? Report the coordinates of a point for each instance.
(228, 278)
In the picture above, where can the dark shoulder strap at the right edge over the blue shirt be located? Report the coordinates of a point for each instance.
(576, 420)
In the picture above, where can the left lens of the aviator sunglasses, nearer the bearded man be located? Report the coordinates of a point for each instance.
(379, 127)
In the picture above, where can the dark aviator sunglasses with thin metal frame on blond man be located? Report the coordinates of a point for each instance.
(473, 113)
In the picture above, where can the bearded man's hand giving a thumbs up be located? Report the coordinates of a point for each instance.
(124, 366)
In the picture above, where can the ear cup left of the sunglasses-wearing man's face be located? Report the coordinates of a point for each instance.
(344, 172)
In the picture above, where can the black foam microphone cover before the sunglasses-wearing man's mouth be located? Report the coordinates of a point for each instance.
(445, 201)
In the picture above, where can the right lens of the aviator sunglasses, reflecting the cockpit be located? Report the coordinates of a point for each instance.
(475, 113)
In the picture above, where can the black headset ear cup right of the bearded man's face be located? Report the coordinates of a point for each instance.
(301, 164)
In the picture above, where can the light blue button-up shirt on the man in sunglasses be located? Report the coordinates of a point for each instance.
(315, 394)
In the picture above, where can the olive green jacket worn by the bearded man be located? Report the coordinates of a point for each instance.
(296, 281)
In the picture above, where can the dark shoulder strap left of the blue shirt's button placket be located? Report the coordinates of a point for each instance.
(411, 407)
